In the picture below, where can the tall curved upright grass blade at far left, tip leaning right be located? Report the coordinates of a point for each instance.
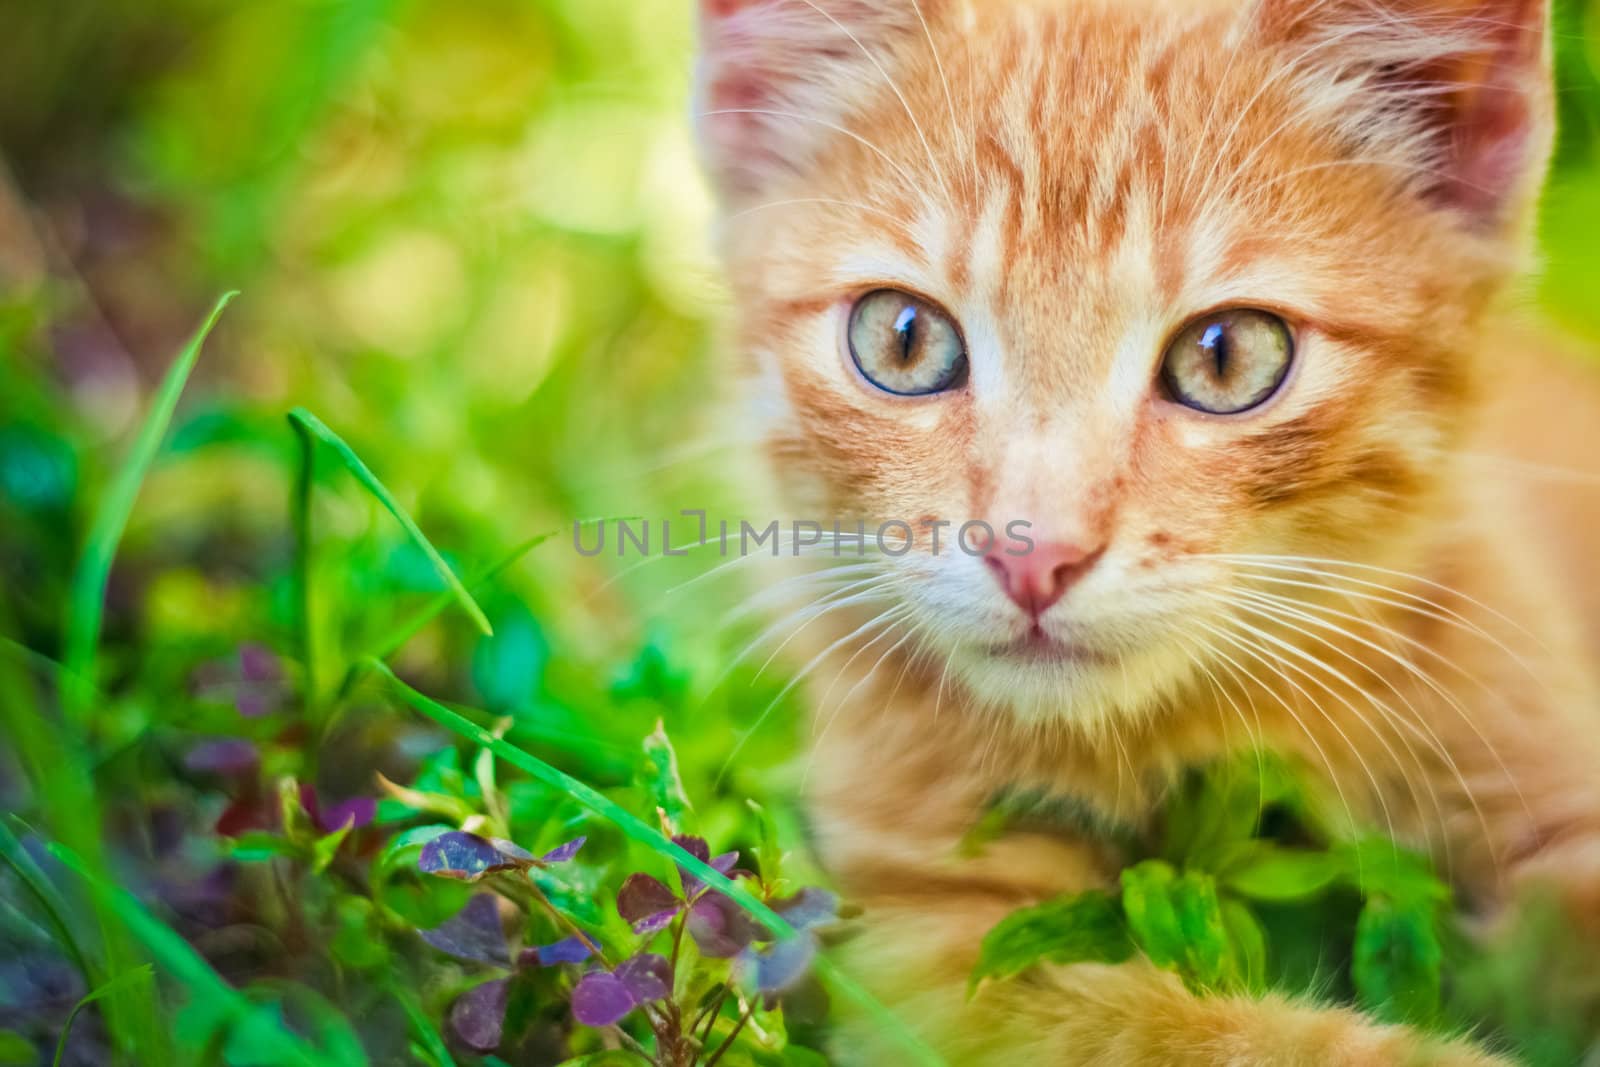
(87, 601)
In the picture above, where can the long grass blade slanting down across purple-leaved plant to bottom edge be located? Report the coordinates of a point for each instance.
(662, 845)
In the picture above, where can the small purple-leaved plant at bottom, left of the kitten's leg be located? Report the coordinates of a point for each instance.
(718, 972)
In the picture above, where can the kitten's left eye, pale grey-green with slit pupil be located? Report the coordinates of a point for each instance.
(905, 345)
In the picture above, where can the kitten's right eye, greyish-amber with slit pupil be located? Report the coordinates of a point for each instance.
(1230, 362)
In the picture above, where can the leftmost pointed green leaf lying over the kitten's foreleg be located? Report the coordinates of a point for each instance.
(1078, 929)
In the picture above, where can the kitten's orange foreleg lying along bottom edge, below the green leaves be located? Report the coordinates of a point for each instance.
(918, 956)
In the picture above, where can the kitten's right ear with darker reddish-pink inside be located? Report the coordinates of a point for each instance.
(1460, 87)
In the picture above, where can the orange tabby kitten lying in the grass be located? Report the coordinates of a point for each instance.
(1218, 297)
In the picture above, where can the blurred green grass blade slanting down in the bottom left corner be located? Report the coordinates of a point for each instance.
(217, 999)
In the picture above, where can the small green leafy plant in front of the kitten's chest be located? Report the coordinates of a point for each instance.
(1249, 885)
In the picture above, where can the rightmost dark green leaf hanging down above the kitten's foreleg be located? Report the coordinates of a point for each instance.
(1398, 961)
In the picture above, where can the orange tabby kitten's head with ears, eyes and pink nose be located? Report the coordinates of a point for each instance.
(1174, 282)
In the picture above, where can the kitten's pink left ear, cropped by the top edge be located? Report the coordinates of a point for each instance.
(780, 78)
